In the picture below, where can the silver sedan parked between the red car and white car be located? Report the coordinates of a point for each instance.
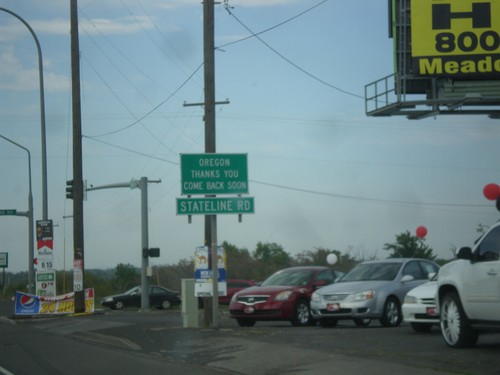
(372, 290)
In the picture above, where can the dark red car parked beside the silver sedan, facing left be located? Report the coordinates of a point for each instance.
(285, 295)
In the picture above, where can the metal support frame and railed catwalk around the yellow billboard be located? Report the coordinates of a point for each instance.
(409, 94)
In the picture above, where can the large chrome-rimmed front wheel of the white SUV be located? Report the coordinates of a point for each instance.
(455, 326)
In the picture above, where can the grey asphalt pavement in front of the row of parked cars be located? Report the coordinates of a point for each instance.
(275, 348)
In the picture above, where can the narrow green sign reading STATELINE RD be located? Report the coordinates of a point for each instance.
(215, 206)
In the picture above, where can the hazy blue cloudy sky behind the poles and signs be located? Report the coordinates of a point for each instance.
(323, 174)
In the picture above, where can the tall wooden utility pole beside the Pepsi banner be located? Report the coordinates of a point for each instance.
(78, 248)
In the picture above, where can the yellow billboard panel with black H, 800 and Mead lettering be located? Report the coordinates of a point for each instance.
(456, 38)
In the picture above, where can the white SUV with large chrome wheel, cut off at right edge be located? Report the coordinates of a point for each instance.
(469, 291)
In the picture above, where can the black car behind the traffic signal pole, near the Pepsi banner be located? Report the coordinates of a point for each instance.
(159, 297)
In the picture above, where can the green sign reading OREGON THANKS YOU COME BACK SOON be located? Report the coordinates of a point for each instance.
(212, 174)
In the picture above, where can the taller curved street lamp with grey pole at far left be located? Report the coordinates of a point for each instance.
(42, 114)
